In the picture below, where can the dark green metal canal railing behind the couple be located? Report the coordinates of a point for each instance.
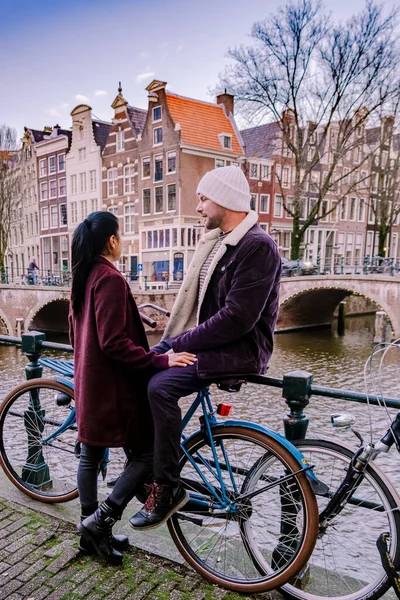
(297, 386)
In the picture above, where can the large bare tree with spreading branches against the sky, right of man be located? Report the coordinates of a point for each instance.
(321, 83)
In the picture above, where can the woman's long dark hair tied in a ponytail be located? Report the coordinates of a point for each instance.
(89, 241)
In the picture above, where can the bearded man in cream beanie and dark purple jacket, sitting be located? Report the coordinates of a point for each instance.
(225, 314)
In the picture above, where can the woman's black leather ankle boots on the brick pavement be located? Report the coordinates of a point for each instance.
(97, 533)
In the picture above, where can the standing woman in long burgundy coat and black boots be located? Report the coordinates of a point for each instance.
(112, 365)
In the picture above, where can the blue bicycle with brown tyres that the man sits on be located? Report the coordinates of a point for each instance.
(252, 519)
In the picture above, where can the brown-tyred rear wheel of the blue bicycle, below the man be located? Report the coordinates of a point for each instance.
(241, 547)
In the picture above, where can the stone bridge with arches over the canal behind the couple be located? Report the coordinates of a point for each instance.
(304, 302)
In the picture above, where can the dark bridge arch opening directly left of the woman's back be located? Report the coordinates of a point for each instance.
(50, 317)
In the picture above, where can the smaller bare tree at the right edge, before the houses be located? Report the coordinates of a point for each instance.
(384, 189)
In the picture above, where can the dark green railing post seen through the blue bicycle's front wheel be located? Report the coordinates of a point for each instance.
(35, 470)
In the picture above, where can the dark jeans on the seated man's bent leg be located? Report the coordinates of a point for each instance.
(164, 391)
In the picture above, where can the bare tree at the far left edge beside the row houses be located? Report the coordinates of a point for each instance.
(8, 185)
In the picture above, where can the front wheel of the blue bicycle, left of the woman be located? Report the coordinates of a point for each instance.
(42, 468)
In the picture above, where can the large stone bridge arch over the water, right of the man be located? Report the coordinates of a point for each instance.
(313, 303)
